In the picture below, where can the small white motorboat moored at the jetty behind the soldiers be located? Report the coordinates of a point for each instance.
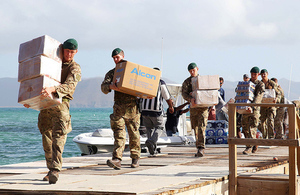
(102, 140)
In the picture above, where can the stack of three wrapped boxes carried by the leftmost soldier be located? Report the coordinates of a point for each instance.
(40, 62)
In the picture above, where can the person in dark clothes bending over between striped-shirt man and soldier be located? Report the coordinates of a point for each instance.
(173, 118)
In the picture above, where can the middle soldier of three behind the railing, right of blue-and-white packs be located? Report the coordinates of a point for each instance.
(267, 114)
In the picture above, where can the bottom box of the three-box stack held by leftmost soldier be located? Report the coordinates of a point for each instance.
(29, 93)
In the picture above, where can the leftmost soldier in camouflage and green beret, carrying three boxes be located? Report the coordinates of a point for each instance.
(55, 123)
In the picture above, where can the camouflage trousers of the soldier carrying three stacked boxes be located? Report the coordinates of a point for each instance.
(54, 124)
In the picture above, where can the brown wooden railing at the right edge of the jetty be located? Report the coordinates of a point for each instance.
(292, 142)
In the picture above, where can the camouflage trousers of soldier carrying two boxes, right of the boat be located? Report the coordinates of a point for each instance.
(199, 118)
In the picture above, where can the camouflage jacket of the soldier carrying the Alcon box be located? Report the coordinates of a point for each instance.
(119, 97)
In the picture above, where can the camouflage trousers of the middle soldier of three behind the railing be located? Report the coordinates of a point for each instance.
(266, 126)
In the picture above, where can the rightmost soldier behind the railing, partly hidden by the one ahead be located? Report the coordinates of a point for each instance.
(278, 122)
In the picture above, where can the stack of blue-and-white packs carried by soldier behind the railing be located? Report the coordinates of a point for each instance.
(244, 94)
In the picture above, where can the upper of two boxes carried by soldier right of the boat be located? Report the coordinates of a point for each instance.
(205, 82)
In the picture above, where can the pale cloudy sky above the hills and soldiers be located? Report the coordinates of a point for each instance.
(223, 37)
